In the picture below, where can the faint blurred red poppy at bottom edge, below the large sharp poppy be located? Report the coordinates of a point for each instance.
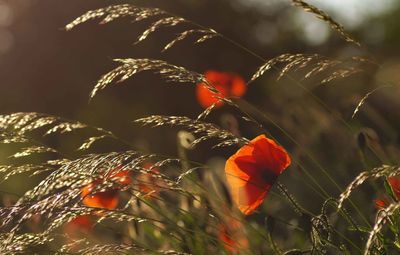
(232, 236)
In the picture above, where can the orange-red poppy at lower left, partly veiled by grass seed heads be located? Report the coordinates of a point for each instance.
(105, 199)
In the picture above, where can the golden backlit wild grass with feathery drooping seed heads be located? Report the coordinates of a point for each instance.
(177, 205)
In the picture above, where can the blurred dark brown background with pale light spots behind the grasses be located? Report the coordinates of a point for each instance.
(44, 68)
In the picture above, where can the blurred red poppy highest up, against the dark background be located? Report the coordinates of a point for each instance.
(228, 84)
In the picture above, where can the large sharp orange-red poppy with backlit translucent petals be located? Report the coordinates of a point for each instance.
(253, 170)
